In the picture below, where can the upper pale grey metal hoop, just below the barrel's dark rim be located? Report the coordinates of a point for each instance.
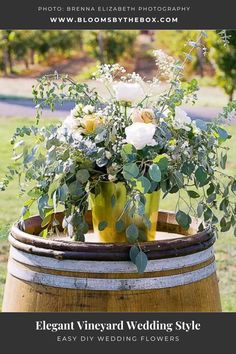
(111, 266)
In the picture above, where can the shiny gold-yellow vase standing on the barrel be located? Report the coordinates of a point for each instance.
(102, 209)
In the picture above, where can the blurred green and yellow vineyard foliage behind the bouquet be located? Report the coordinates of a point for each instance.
(23, 50)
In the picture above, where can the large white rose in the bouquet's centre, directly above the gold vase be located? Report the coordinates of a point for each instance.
(140, 134)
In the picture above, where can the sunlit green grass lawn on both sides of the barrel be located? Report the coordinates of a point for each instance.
(10, 206)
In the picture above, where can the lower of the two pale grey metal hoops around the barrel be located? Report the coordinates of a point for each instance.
(95, 284)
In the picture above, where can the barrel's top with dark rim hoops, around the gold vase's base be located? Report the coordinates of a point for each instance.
(177, 242)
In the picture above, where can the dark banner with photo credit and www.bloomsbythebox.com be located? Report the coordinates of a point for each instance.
(117, 14)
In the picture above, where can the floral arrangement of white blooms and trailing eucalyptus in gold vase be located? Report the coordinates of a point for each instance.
(136, 134)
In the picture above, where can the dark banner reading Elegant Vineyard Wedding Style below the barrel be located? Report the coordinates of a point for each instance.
(60, 332)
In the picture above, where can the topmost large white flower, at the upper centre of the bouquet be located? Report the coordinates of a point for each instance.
(129, 92)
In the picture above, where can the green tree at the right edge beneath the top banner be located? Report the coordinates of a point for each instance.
(225, 58)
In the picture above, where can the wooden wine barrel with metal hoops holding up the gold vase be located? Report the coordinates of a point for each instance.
(57, 275)
